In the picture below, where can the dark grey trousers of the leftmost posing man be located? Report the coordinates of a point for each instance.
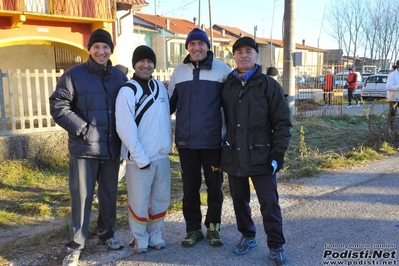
(83, 175)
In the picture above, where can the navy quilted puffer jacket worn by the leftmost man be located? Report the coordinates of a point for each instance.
(83, 103)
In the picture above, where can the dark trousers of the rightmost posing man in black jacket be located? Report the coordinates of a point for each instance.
(266, 191)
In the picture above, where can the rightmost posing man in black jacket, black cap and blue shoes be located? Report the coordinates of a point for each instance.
(258, 132)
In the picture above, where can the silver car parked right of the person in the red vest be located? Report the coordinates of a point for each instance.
(375, 86)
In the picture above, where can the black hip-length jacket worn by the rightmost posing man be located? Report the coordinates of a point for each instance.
(258, 125)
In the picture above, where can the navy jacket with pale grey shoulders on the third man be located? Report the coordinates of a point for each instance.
(195, 90)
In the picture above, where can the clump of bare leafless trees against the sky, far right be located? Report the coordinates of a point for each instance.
(365, 25)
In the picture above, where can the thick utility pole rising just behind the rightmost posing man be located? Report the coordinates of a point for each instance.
(289, 48)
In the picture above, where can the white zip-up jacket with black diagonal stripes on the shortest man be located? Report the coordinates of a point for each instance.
(151, 139)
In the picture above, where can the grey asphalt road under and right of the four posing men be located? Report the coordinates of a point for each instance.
(346, 217)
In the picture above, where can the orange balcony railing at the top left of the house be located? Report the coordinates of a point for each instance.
(98, 9)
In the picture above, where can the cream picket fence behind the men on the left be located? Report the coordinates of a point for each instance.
(24, 100)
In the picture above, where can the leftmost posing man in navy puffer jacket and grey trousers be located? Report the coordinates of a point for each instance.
(84, 105)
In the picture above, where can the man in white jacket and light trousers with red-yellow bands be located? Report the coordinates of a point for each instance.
(143, 125)
